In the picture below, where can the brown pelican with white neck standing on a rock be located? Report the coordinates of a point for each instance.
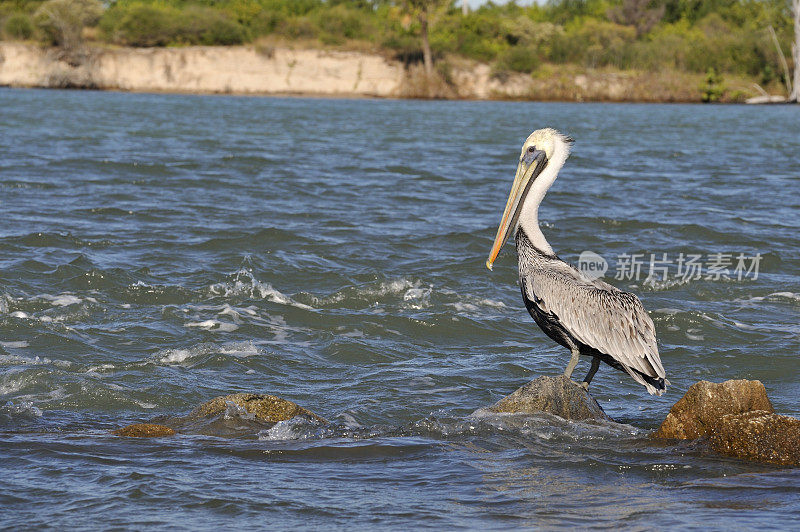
(589, 317)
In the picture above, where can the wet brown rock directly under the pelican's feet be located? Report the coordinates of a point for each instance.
(559, 396)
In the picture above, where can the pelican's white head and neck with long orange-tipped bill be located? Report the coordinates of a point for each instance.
(543, 154)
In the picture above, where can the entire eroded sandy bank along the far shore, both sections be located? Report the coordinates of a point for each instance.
(267, 70)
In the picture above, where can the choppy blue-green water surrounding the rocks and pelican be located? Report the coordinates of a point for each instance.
(157, 251)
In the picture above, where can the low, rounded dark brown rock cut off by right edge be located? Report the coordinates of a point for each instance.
(758, 435)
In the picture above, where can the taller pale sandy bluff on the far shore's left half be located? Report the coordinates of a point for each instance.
(242, 70)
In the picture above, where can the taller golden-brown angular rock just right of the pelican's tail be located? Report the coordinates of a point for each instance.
(705, 403)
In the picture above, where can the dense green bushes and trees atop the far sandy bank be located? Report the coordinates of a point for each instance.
(730, 36)
